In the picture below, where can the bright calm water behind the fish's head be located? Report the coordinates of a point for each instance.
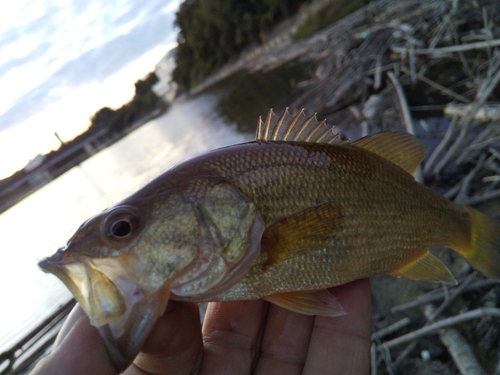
(44, 221)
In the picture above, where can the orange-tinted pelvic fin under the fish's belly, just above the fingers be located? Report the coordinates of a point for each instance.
(318, 302)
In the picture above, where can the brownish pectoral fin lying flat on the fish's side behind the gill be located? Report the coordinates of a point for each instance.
(310, 229)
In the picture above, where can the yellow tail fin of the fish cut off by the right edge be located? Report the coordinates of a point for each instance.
(484, 251)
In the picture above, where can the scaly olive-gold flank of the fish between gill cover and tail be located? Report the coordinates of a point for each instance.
(278, 191)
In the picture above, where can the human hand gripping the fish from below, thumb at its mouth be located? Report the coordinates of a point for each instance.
(237, 338)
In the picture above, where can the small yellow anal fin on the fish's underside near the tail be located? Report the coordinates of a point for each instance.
(428, 268)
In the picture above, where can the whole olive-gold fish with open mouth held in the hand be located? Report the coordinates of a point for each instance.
(281, 218)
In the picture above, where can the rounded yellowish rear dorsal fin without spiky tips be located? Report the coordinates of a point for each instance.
(402, 149)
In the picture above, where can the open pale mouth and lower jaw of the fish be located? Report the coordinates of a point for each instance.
(123, 311)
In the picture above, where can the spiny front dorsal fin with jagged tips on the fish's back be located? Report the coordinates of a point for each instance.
(294, 130)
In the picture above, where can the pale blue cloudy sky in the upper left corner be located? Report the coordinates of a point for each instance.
(62, 60)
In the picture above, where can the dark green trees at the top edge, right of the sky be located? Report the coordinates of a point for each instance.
(213, 32)
